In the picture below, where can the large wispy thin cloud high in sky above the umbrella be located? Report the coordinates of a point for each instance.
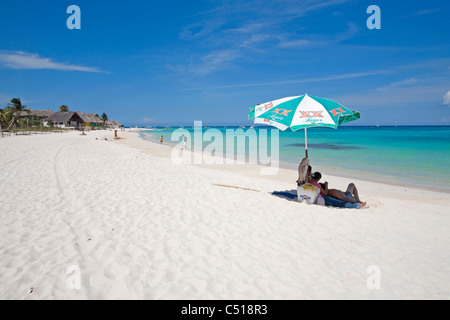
(227, 34)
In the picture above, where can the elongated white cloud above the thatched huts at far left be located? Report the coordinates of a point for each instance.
(28, 61)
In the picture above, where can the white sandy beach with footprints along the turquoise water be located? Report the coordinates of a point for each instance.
(82, 218)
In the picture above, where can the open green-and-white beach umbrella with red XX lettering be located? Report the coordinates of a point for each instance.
(302, 112)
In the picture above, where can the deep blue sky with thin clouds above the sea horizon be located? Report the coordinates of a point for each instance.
(173, 62)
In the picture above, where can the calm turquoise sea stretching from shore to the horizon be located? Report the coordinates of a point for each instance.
(404, 155)
